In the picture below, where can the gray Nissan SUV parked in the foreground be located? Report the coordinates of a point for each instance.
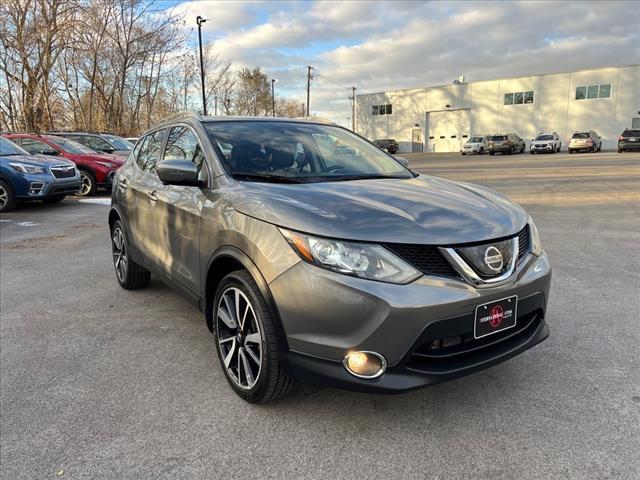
(318, 258)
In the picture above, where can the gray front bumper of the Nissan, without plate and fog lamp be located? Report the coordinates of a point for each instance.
(327, 315)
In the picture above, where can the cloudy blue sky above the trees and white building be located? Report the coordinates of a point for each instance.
(379, 46)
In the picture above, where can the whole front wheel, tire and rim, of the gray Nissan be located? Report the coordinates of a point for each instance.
(247, 341)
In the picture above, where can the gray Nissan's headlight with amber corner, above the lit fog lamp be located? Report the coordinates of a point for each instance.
(364, 260)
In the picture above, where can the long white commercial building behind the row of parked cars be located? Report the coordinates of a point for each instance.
(441, 118)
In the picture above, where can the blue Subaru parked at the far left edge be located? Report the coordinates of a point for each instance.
(25, 177)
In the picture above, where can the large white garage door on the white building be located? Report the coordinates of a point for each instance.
(448, 130)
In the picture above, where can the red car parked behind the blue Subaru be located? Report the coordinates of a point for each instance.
(96, 169)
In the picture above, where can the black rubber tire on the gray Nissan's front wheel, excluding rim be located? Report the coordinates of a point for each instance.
(273, 379)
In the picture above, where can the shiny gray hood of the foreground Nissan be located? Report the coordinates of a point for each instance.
(422, 210)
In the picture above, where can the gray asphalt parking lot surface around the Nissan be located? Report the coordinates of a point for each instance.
(98, 382)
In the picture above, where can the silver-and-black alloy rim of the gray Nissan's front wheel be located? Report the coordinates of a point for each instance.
(239, 338)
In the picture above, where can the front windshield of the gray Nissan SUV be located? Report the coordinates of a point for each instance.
(294, 152)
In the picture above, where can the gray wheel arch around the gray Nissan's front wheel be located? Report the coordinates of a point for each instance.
(226, 260)
